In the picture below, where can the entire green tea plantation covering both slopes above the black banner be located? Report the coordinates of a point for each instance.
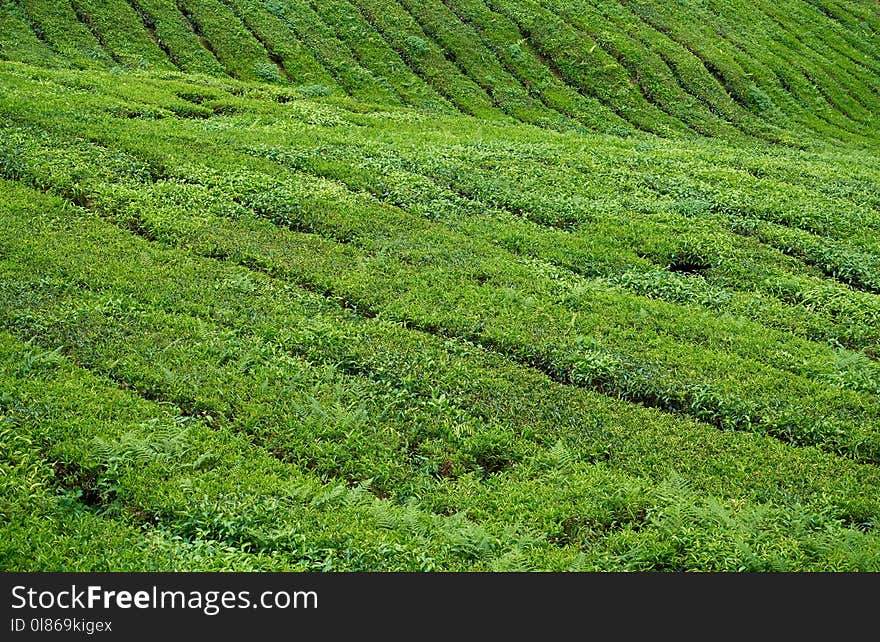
(442, 285)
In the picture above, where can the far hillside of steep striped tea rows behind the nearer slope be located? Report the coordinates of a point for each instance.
(724, 68)
